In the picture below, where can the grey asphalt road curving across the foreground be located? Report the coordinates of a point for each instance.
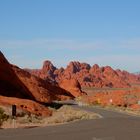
(113, 126)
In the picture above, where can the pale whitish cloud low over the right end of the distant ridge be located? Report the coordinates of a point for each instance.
(126, 62)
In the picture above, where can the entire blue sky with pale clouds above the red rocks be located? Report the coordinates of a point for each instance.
(106, 32)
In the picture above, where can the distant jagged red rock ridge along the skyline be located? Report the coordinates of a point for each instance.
(86, 75)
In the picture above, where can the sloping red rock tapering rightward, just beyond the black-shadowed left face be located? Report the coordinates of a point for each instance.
(41, 90)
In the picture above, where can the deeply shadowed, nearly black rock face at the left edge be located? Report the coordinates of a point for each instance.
(10, 85)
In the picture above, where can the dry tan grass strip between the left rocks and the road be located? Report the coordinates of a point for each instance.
(63, 115)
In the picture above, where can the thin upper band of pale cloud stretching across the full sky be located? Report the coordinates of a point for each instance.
(51, 44)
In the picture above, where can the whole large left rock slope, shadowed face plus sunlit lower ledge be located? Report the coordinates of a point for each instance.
(25, 90)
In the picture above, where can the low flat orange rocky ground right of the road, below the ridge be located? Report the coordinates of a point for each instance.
(120, 98)
